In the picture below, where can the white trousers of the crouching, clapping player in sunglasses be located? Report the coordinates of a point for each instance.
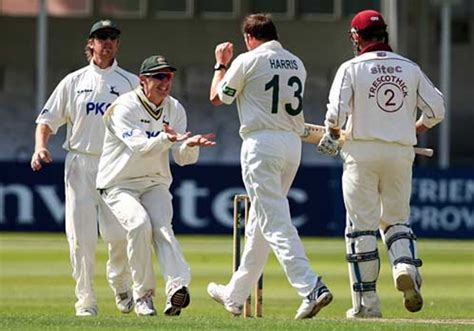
(145, 211)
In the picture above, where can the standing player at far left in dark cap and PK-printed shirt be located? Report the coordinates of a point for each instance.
(79, 101)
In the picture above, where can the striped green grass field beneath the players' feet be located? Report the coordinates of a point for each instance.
(37, 290)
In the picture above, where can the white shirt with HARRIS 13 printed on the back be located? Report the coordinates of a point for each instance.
(268, 83)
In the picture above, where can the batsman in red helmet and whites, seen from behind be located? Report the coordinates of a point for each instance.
(378, 92)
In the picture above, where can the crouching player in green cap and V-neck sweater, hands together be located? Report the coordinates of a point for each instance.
(134, 177)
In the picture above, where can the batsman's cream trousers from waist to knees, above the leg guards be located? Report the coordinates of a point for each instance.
(376, 184)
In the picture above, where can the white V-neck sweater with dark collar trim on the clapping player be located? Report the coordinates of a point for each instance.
(135, 146)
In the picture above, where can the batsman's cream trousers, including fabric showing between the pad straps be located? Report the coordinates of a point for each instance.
(376, 185)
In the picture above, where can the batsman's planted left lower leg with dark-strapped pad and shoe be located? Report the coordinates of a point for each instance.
(364, 266)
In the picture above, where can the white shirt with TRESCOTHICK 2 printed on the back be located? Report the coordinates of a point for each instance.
(379, 93)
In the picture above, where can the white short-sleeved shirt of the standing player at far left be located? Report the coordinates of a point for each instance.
(80, 100)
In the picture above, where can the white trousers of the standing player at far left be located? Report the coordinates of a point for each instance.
(85, 211)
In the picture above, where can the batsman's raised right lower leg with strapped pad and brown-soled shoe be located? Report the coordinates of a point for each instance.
(400, 242)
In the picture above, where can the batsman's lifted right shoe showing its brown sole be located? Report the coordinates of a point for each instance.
(410, 286)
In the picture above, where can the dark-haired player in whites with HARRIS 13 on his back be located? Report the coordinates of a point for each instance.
(268, 84)
